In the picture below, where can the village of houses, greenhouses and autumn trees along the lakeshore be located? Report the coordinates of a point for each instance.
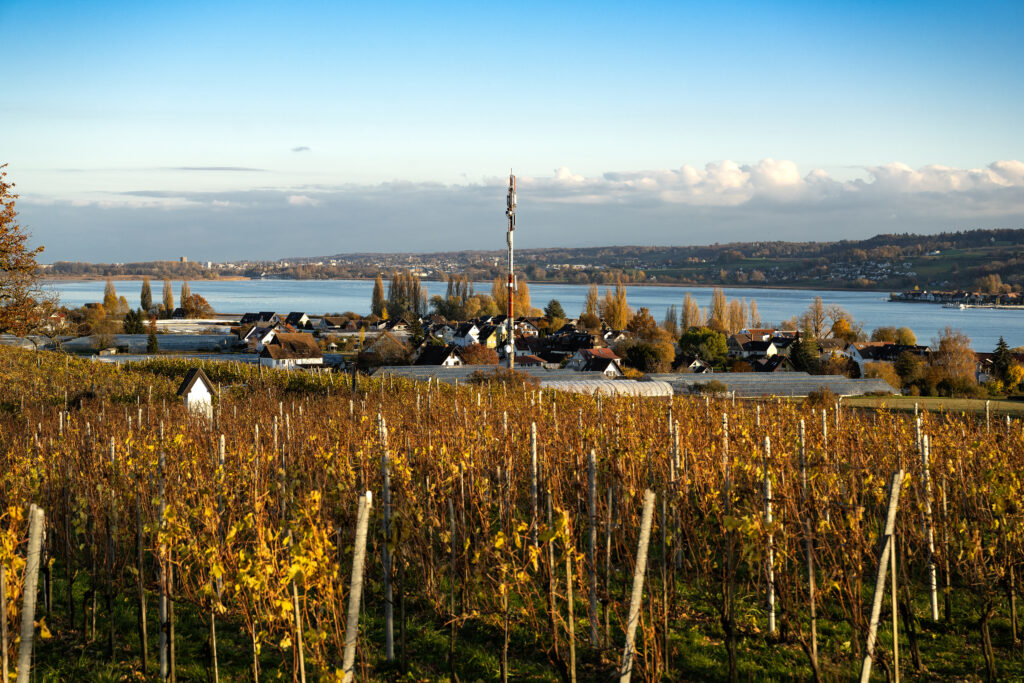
(724, 351)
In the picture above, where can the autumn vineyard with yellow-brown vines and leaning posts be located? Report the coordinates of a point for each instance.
(399, 531)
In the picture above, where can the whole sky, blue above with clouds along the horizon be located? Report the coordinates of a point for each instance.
(222, 132)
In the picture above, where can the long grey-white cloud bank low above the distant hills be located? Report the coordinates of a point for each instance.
(721, 202)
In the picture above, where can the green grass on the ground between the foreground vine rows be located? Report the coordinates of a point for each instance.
(950, 650)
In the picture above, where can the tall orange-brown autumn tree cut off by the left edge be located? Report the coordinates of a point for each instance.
(20, 294)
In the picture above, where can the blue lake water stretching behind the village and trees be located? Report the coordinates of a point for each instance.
(984, 326)
